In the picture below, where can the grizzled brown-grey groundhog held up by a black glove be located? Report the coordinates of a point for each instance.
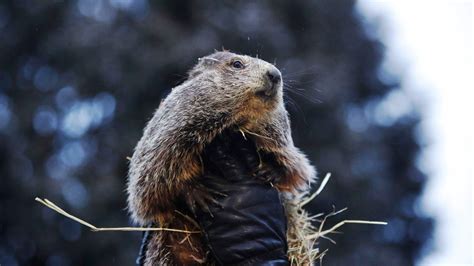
(223, 91)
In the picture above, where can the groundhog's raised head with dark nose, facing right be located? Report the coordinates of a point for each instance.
(249, 84)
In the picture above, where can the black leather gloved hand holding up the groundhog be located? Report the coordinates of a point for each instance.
(249, 226)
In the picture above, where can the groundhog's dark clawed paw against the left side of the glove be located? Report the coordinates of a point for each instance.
(199, 196)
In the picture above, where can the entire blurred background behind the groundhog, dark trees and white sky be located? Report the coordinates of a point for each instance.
(379, 95)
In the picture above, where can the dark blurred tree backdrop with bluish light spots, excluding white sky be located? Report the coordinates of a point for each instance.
(79, 79)
